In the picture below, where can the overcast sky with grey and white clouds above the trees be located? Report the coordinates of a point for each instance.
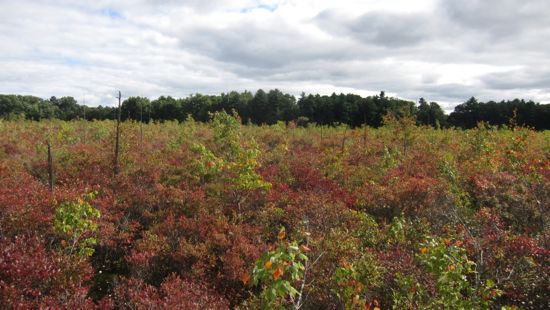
(442, 50)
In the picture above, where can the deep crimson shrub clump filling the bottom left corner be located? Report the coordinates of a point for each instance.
(33, 277)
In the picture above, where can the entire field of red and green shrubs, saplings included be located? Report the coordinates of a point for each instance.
(222, 215)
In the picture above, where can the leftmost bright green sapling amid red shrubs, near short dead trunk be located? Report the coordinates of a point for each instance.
(75, 221)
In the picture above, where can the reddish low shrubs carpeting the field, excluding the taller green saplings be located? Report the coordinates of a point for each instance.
(167, 238)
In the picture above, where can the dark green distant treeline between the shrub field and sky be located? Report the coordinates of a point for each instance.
(270, 107)
